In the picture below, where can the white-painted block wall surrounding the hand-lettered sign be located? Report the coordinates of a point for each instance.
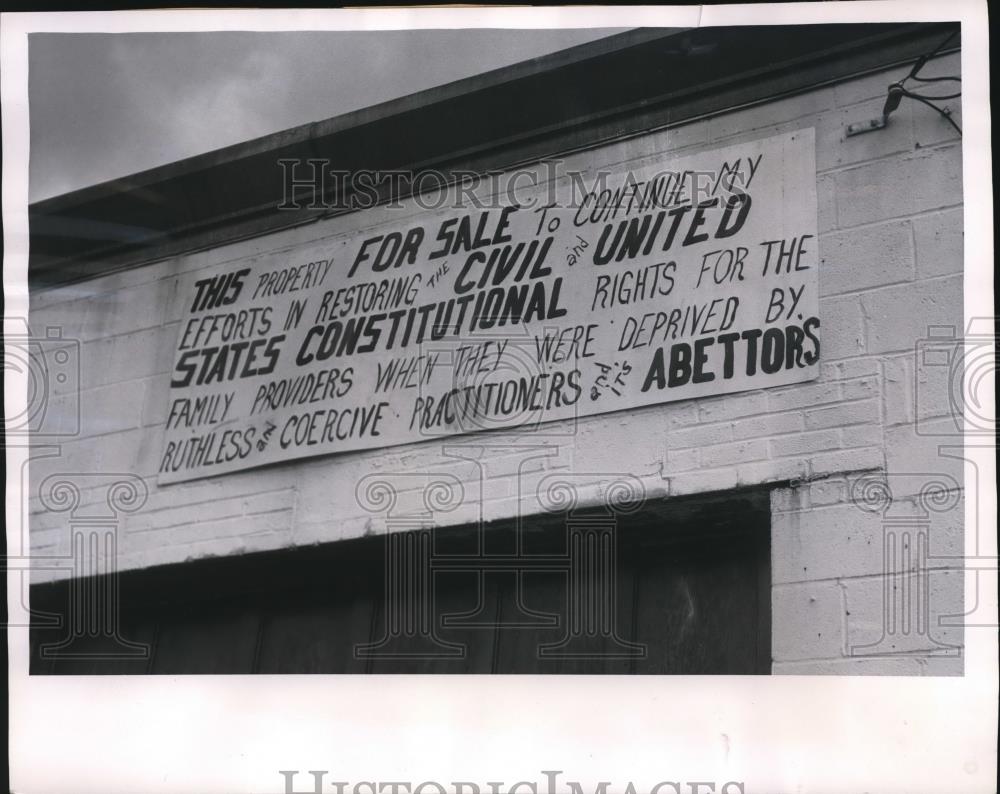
(890, 226)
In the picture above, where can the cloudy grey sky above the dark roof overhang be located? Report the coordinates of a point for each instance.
(106, 105)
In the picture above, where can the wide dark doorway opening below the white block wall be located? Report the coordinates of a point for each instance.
(679, 586)
